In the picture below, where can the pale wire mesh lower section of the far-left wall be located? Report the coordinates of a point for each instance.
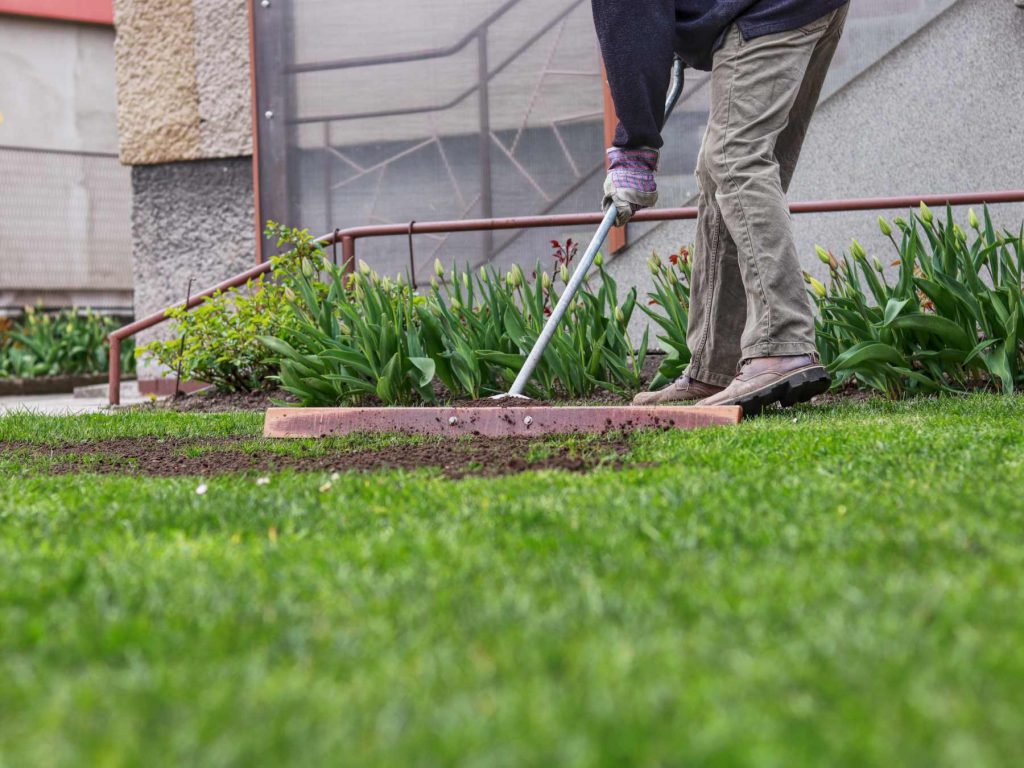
(65, 230)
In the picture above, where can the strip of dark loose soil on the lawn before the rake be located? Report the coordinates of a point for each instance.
(455, 459)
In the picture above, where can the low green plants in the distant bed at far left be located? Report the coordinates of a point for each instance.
(70, 343)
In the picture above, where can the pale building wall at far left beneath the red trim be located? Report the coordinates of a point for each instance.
(63, 183)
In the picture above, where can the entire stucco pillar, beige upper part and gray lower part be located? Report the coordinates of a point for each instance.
(186, 130)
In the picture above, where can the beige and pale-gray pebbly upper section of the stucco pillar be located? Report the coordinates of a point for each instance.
(183, 73)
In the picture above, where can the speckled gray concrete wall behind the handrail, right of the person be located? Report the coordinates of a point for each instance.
(940, 114)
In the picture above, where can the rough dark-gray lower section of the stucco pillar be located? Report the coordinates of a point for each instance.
(190, 220)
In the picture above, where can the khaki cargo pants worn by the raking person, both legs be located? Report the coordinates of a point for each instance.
(748, 294)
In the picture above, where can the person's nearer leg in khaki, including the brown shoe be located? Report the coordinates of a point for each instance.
(764, 93)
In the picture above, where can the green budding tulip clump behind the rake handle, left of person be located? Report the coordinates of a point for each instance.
(372, 336)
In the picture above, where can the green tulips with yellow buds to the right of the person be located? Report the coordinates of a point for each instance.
(953, 321)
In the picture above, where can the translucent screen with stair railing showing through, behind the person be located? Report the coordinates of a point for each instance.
(431, 110)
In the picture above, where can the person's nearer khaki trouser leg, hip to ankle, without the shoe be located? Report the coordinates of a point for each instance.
(755, 88)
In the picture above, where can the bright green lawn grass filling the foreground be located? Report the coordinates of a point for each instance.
(838, 586)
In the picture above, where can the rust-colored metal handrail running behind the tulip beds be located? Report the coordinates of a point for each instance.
(349, 237)
